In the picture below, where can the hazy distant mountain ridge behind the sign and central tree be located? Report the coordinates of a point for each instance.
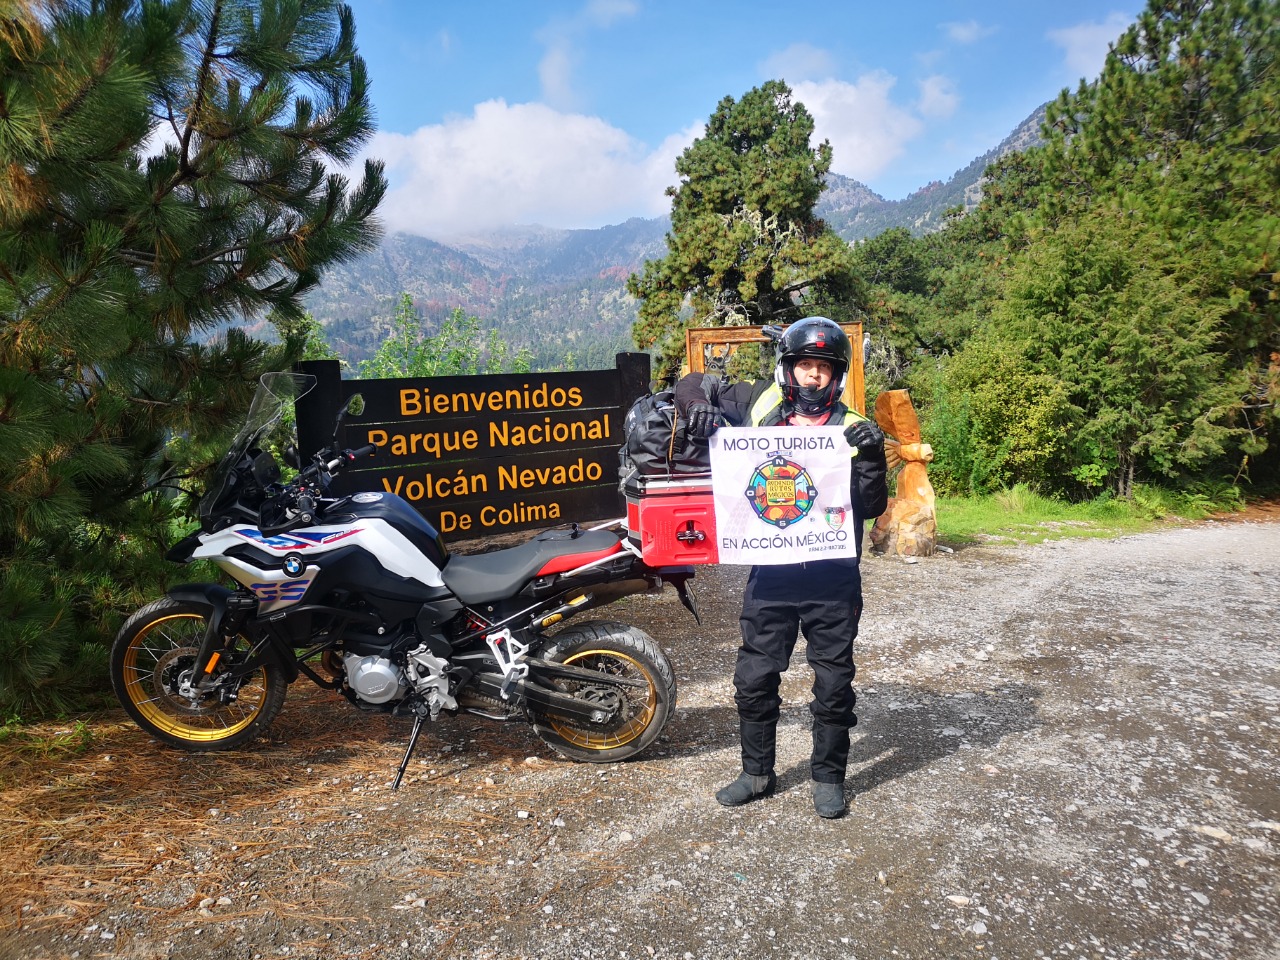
(561, 294)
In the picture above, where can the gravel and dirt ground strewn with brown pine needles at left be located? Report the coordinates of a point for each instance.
(1066, 751)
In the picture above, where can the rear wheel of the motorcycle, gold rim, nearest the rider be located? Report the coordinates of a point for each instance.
(644, 708)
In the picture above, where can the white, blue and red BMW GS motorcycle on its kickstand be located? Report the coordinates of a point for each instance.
(360, 595)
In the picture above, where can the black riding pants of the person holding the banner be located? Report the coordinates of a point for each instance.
(824, 598)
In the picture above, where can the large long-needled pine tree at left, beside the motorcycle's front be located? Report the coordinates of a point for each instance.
(162, 180)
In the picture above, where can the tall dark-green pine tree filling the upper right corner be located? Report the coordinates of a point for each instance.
(1182, 132)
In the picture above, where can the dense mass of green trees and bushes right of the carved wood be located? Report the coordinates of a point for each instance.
(1108, 319)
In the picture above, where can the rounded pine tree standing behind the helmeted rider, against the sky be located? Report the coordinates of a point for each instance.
(744, 245)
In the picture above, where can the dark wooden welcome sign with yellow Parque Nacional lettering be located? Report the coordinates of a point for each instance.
(484, 455)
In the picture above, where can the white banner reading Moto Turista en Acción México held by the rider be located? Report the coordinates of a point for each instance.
(783, 495)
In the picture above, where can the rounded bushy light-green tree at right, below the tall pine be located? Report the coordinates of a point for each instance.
(1132, 346)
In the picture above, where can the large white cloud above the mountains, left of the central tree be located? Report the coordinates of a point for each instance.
(522, 163)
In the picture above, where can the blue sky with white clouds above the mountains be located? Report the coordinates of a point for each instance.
(573, 115)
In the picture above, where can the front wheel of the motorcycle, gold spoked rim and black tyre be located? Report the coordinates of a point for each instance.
(150, 657)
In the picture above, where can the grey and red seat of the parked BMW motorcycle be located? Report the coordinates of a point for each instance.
(486, 578)
